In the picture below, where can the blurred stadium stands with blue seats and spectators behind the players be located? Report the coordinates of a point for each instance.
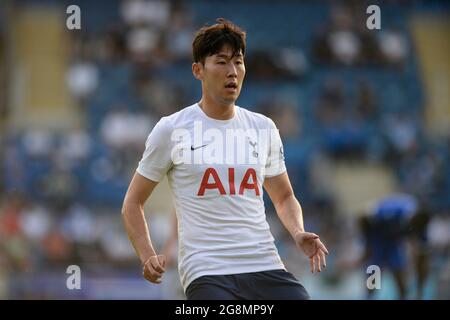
(363, 113)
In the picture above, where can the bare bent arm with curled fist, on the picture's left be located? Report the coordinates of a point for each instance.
(136, 226)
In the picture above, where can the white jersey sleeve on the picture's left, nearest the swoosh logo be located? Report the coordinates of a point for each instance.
(156, 160)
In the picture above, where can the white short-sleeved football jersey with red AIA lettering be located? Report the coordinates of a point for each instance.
(216, 169)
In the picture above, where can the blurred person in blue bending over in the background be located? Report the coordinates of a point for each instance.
(386, 227)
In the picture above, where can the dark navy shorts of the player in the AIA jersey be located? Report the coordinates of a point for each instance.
(265, 285)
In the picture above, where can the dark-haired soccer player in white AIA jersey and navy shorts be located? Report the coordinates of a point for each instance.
(226, 249)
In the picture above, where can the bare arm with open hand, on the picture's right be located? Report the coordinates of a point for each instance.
(290, 213)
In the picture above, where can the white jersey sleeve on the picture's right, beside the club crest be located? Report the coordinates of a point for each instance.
(275, 164)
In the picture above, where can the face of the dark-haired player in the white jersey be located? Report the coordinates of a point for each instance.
(222, 75)
